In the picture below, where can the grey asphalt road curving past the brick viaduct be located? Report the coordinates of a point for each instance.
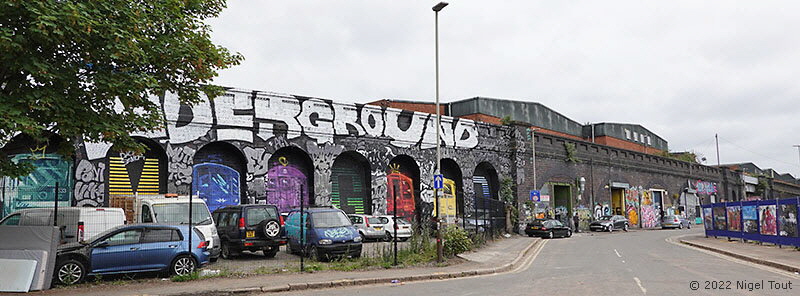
(632, 263)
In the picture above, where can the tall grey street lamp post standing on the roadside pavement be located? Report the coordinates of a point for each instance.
(439, 246)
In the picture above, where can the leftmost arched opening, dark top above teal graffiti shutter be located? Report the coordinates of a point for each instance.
(37, 189)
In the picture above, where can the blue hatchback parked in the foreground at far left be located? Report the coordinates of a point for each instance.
(132, 248)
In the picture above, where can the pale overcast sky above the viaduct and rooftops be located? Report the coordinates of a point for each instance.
(684, 69)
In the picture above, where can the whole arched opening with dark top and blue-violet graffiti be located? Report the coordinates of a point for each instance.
(218, 175)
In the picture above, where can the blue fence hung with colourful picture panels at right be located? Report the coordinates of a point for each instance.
(771, 221)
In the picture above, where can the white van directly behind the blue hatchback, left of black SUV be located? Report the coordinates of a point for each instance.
(175, 210)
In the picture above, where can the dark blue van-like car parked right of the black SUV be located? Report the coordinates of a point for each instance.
(327, 233)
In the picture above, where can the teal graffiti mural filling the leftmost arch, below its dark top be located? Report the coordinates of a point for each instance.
(37, 189)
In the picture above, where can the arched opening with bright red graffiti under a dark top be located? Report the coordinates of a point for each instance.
(402, 186)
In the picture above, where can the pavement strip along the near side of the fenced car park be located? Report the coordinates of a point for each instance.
(496, 257)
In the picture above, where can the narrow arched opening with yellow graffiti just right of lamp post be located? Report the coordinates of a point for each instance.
(452, 199)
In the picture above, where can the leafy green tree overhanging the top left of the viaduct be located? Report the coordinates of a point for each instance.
(86, 69)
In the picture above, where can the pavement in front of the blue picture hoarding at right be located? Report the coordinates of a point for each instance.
(785, 258)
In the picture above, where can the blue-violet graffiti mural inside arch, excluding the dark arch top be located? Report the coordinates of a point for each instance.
(216, 184)
